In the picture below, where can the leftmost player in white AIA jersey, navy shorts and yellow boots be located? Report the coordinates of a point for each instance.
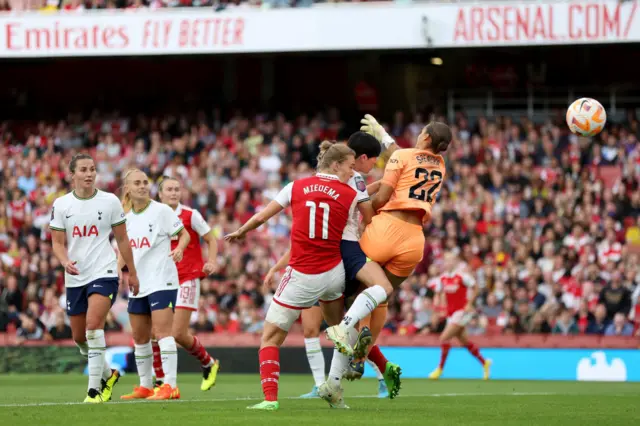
(85, 217)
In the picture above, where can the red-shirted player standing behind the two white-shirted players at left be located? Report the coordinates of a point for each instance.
(190, 270)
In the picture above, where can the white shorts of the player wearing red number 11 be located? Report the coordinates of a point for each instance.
(302, 291)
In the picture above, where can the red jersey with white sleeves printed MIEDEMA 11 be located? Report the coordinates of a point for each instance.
(319, 219)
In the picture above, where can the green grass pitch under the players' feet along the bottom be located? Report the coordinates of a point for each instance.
(55, 400)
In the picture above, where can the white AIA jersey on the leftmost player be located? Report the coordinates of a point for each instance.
(87, 222)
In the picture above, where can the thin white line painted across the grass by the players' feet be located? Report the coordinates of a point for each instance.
(430, 395)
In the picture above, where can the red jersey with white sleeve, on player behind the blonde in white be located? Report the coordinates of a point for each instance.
(190, 267)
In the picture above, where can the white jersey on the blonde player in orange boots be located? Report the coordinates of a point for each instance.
(150, 232)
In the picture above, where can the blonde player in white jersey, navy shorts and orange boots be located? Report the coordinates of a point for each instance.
(151, 226)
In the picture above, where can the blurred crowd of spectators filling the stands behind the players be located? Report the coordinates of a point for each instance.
(547, 223)
